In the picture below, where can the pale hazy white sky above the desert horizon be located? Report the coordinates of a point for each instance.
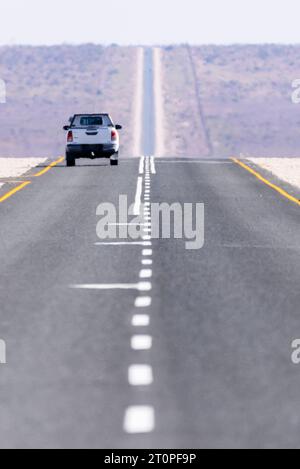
(149, 21)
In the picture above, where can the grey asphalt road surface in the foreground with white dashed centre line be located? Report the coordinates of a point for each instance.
(217, 324)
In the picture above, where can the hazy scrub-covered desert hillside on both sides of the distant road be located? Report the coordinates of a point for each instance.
(217, 101)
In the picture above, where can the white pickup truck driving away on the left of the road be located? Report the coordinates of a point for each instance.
(92, 136)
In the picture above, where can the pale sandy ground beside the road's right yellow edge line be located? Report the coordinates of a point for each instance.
(287, 169)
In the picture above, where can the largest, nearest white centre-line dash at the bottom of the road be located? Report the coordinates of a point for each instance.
(139, 420)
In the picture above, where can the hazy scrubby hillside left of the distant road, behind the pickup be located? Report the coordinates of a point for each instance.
(45, 85)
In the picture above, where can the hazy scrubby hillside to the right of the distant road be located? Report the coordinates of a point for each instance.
(245, 96)
